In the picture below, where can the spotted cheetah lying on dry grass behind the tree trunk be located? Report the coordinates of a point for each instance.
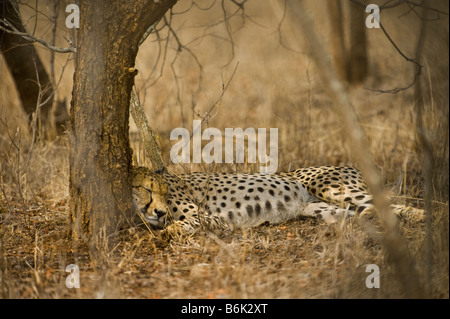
(185, 203)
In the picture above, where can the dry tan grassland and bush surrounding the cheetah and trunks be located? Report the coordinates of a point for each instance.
(271, 86)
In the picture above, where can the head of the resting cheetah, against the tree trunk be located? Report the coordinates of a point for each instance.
(149, 190)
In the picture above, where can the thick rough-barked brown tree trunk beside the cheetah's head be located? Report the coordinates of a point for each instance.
(100, 158)
